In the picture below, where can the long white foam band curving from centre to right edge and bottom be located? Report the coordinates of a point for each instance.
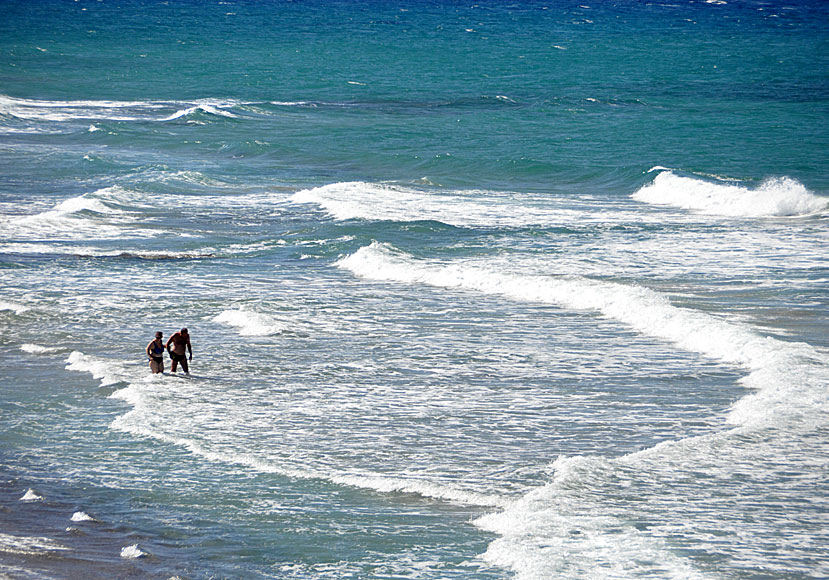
(556, 530)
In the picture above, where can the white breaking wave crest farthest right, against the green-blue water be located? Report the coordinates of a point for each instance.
(773, 198)
